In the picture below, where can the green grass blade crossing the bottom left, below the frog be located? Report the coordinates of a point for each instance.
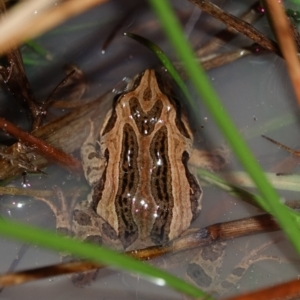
(50, 240)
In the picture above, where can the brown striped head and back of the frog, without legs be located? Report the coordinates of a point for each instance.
(149, 193)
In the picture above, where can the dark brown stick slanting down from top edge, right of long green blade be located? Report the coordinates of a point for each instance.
(239, 25)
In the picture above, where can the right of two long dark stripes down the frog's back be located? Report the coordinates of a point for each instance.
(161, 187)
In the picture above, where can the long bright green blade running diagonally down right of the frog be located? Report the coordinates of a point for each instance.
(204, 88)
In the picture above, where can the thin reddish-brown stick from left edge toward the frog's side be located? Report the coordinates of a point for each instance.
(40, 146)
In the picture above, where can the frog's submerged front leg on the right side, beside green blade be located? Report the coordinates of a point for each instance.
(209, 160)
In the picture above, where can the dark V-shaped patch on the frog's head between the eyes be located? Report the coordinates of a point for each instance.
(145, 122)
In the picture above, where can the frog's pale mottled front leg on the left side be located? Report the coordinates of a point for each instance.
(92, 162)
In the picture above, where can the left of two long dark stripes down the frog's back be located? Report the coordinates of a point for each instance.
(128, 182)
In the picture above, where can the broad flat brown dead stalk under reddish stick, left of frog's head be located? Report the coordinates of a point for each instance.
(67, 132)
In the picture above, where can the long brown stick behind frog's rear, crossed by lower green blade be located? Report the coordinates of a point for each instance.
(191, 239)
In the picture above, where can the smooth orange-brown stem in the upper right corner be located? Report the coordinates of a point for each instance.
(284, 36)
